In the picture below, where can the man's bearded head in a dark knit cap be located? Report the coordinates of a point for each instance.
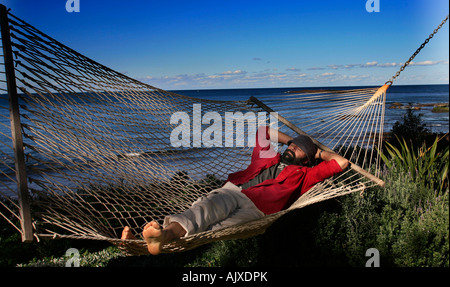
(301, 151)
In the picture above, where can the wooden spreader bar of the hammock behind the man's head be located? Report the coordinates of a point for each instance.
(353, 166)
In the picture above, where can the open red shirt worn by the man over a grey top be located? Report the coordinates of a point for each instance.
(273, 195)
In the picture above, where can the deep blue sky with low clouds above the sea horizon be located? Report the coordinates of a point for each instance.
(215, 44)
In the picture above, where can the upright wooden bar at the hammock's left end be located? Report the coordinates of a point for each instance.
(16, 131)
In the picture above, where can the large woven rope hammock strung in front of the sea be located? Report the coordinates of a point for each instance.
(97, 155)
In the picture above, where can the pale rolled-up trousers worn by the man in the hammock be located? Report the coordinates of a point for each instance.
(221, 207)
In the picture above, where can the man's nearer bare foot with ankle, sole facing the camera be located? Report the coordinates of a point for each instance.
(156, 237)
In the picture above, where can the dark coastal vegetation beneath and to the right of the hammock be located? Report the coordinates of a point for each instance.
(407, 222)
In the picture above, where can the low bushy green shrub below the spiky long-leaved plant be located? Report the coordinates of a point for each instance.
(406, 231)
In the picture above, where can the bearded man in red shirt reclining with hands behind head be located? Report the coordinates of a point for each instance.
(271, 183)
